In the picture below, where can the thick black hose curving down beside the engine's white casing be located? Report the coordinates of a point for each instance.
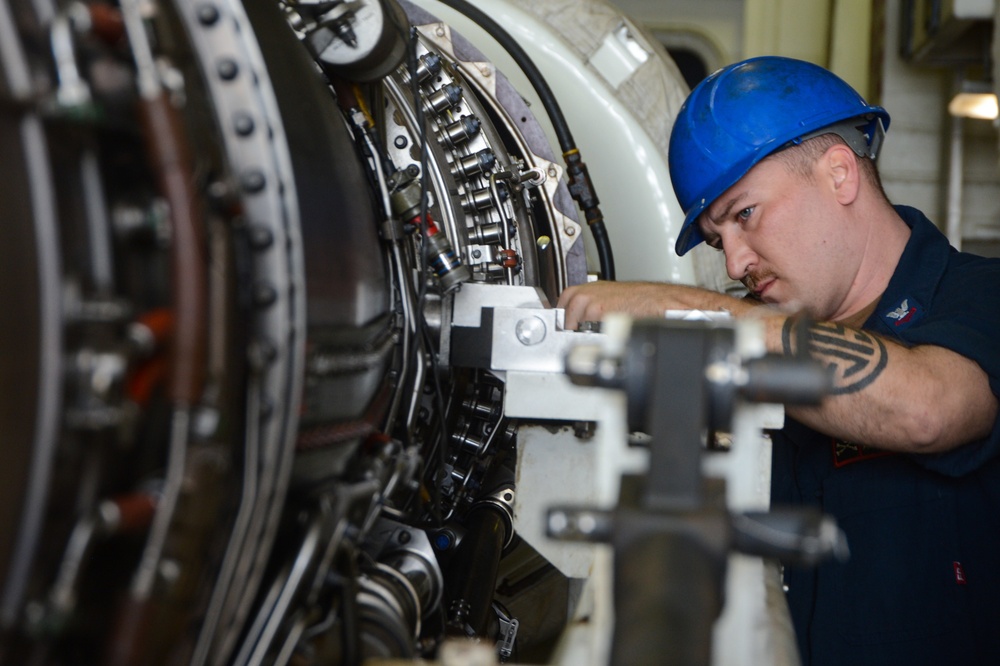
(580, 185)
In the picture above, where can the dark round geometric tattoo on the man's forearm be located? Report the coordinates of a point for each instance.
(854, 358)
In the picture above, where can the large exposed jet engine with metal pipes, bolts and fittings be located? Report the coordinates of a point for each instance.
(254, 409)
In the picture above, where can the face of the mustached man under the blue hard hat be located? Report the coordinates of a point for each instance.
(784, 238)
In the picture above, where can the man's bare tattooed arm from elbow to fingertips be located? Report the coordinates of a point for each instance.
(922, 399)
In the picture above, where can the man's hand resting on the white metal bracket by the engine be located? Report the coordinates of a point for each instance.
(594, 300)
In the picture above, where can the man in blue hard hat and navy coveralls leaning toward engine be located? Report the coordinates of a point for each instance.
(772, 161)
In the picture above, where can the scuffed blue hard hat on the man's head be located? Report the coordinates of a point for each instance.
(744, 112)
